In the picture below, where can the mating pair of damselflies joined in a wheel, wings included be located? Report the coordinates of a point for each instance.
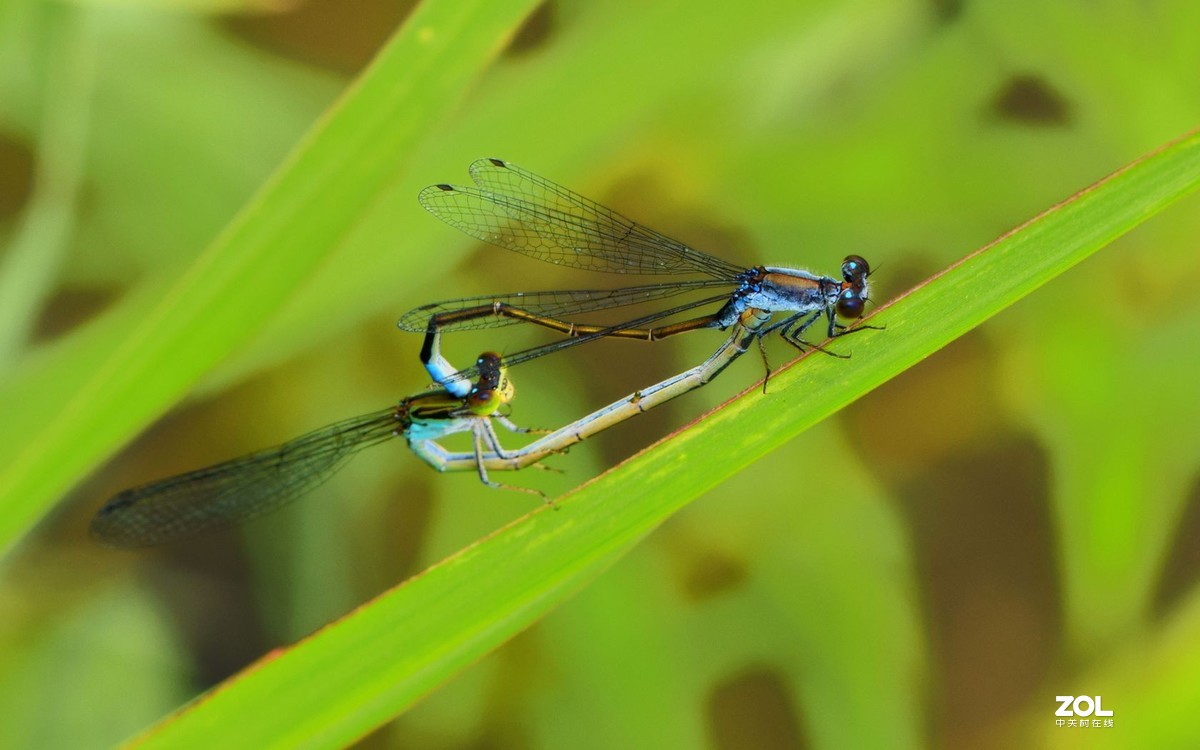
(521, 212)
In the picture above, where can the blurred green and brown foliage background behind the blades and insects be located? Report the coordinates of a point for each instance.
(1016, 519)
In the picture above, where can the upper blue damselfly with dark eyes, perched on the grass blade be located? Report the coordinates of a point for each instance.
(521, 212)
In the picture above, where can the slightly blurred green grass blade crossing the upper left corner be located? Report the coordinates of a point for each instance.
(86, 398)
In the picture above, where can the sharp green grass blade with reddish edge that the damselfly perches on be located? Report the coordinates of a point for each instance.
(377, 662)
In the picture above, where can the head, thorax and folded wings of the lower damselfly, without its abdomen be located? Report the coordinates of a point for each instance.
(236, 491)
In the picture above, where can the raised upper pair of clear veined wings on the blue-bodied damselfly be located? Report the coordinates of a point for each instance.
(521, 212)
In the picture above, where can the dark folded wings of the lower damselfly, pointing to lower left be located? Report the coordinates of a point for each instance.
(229, 494)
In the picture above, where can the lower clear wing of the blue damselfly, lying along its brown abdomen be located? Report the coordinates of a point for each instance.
(560, 305)
